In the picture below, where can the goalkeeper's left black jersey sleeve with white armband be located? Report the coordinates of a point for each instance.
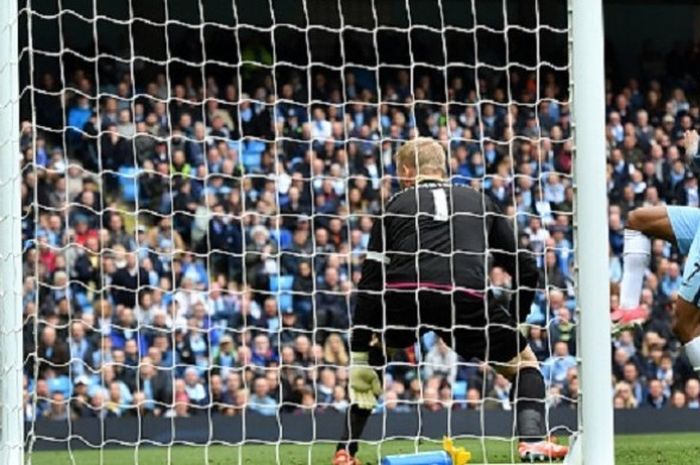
(368, 309)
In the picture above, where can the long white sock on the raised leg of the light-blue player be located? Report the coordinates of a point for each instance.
(637, 254)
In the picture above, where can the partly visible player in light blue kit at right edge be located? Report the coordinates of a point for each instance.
(680, 225)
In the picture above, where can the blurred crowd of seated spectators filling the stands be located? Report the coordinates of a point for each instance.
(193, 249)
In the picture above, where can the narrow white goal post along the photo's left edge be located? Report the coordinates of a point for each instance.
(11, 354)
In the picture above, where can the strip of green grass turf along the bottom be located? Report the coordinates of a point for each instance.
(676, 449)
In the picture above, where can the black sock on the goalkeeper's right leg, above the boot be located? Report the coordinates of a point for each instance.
(529, 404)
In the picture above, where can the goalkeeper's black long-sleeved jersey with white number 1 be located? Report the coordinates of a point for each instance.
(442, 237)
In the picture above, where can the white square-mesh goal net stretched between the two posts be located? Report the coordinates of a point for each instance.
(199, 181)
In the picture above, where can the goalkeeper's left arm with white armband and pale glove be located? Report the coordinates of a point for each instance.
(364, 381)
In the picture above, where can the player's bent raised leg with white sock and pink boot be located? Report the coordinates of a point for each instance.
(674, 224)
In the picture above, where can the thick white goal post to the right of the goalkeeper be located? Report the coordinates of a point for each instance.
(588, 92)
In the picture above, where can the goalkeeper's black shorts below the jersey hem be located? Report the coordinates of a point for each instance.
(463, 322)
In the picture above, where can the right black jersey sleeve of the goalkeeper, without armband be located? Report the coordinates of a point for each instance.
(520, 264)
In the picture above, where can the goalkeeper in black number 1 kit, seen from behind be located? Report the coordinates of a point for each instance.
(426, 264)
